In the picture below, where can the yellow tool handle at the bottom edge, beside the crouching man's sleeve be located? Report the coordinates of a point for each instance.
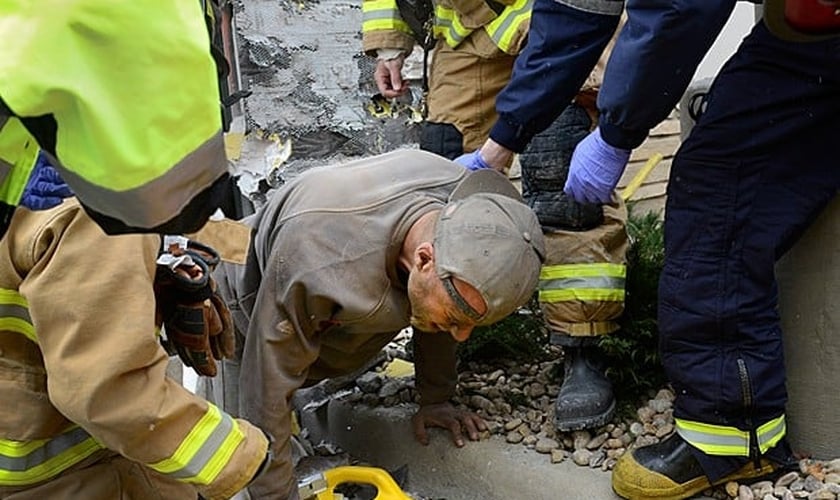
(321, 486)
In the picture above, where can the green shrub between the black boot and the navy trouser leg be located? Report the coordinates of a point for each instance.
(632, 354)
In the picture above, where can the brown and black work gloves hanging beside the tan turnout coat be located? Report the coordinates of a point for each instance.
(196, 321)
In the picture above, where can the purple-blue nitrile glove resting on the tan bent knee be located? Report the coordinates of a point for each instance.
(595, 169)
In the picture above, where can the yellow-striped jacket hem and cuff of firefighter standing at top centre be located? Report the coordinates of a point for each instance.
(455, 20)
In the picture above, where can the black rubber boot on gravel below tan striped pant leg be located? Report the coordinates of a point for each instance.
(586, 398)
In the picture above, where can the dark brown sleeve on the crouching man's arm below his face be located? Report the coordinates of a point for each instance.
(436, 366)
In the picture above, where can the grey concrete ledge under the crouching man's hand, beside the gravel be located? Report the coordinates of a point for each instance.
(490, 469)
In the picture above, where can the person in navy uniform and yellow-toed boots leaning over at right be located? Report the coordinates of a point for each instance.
(756, 170)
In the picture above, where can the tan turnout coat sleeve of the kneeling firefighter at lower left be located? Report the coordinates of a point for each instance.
(92, 304)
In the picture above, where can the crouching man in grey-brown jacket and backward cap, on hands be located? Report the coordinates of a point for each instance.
(343, 258)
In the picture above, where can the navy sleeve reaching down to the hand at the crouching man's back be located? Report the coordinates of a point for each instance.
(564, 44)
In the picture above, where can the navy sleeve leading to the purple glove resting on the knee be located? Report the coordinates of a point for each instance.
(653, 62)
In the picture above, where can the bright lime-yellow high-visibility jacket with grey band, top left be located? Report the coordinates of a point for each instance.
(125, 96)
